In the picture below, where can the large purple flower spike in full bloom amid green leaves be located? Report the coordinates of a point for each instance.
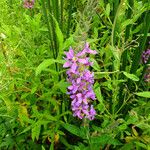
(81, 80)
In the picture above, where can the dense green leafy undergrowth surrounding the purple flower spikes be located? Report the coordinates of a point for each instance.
(35, 111)
